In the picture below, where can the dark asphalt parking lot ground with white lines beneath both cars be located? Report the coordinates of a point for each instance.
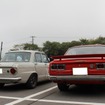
(47, 93)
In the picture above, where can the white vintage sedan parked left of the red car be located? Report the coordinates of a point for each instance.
(24, 66)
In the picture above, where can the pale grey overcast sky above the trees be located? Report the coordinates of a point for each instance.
(50, 20)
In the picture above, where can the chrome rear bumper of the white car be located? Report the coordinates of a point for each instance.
(9, 80)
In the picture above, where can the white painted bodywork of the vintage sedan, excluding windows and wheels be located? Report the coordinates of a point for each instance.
(23, 69)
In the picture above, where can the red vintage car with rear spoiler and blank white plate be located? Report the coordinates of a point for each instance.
(83, 64)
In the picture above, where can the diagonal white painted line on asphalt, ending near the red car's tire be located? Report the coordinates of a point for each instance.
(30, 96)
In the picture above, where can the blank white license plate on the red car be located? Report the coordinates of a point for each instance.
(80, 71)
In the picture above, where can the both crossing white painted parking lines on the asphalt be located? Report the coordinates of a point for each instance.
(30, 98)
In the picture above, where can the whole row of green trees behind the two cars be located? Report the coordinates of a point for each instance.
(57, 48)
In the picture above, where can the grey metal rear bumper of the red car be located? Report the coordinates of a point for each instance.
(78, 78)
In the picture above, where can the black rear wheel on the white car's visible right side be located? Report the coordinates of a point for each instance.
(32, 81)
